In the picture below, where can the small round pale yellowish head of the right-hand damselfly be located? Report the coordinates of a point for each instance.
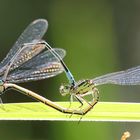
(64, 90)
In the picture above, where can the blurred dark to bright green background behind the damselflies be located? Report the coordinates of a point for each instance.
(100, 36)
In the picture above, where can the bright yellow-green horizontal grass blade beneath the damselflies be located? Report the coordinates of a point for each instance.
(103, 111)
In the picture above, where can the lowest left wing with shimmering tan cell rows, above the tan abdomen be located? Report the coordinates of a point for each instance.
(41, 72)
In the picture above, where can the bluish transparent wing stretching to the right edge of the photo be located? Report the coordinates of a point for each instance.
(128, 77)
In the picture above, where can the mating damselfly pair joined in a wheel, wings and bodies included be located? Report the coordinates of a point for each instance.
(31, 58)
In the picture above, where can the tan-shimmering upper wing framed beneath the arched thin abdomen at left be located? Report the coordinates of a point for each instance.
(23, 55)
